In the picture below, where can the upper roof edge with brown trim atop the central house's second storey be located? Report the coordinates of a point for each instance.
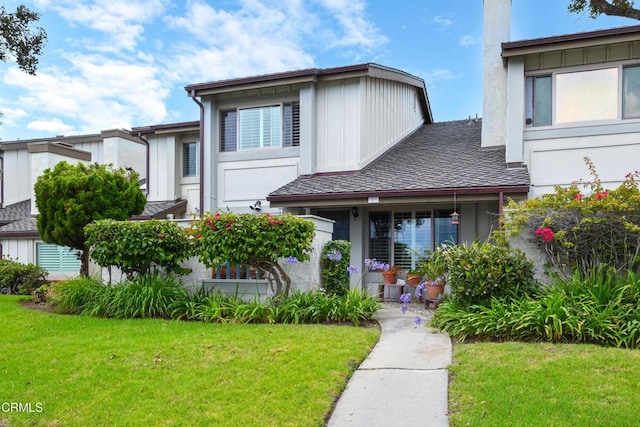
(314, 75)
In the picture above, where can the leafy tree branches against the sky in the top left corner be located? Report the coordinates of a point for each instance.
(19, 39)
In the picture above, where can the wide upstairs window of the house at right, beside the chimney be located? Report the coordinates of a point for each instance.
(582, 96)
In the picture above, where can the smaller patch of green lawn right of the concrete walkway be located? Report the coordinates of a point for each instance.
(525, 384)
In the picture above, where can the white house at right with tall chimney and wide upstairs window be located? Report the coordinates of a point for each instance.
(554, 100)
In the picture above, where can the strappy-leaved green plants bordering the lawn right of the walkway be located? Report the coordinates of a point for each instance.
(601, 307)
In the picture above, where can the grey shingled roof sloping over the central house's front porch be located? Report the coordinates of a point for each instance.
(438, 158)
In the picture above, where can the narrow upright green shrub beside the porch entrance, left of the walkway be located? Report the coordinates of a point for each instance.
(334, 263)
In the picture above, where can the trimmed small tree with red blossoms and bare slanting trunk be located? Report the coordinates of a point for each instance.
(257, 240)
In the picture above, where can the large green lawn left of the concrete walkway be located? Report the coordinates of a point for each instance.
(96, 371)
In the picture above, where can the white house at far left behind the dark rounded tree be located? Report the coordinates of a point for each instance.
(22, 162)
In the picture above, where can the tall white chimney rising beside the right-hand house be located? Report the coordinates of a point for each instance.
(496, 30)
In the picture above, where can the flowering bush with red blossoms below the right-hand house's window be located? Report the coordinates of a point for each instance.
(584, 225)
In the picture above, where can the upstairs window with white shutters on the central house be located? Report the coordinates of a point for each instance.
(271, 126)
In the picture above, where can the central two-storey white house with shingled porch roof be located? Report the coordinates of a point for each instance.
(357, 145)
